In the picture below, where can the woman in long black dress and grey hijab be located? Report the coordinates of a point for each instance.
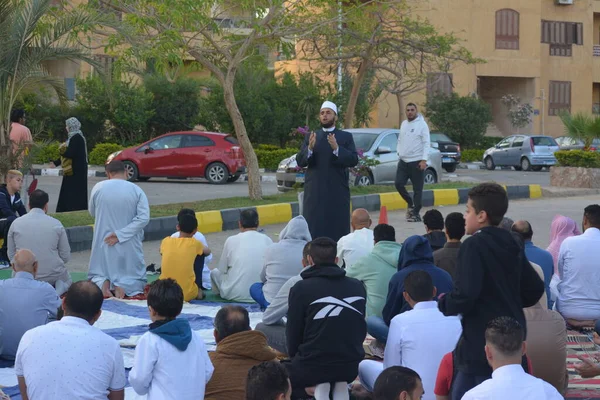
(73, 191)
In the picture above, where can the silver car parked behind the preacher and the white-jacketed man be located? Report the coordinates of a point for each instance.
(377, 143)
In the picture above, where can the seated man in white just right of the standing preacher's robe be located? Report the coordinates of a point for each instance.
(357, 244)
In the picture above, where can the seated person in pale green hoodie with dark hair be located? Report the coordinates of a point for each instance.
(376, 269)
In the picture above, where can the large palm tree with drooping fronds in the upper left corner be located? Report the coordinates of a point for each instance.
(33, 33)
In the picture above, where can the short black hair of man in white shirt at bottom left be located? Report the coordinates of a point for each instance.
(83, 300)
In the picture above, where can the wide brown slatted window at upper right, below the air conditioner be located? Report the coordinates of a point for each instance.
(561, 36)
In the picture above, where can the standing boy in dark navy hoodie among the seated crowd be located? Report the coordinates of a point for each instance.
(493, 279)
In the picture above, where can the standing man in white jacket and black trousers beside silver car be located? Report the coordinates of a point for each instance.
(413, 151)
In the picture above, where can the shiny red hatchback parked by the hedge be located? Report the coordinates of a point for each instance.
(214, 156)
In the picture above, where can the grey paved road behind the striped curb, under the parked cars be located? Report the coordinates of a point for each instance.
(166, 191)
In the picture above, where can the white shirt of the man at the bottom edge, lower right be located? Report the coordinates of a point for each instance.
(512, 382)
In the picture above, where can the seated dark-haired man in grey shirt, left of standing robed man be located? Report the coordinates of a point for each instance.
(46, 237)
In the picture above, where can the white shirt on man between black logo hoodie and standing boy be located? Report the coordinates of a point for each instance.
(418, 339)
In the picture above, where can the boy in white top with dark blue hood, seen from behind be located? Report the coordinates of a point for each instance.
(171, 361)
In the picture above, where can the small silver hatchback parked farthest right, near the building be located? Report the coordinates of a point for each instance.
(522, 152)
